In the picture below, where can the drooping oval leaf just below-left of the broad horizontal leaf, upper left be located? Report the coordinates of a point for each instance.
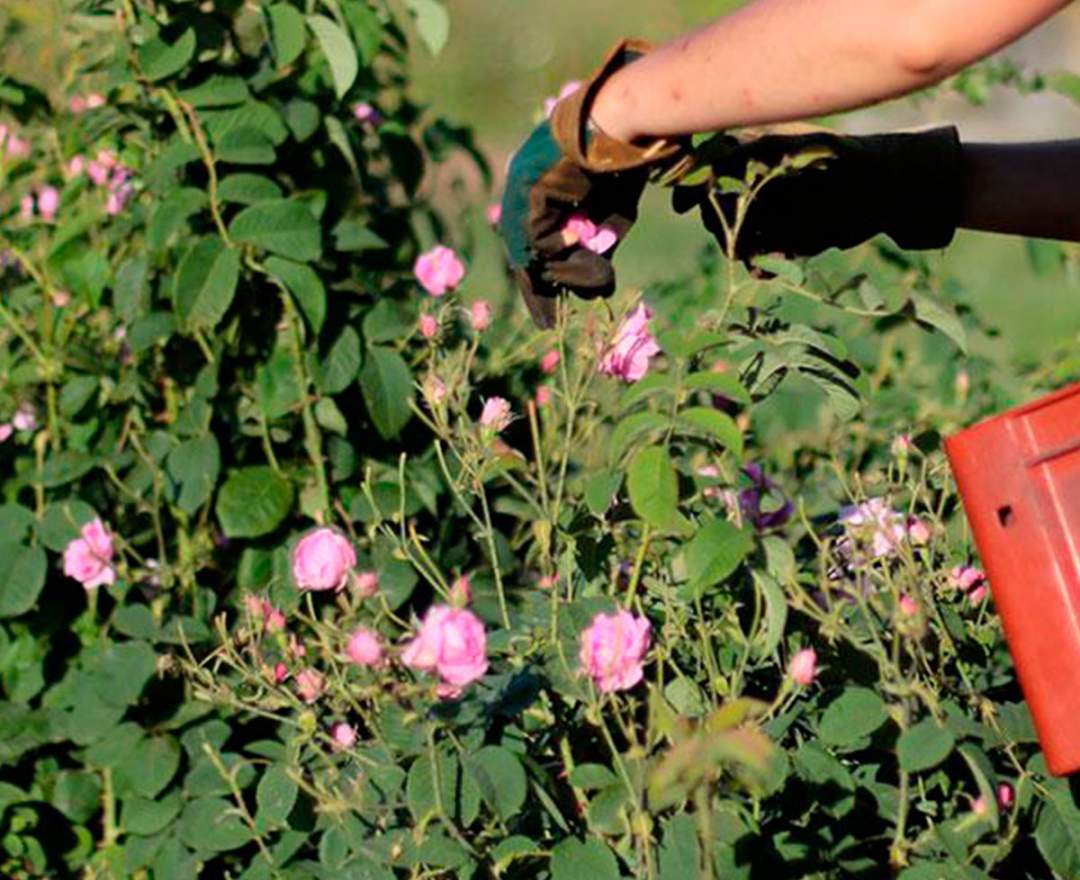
(206, 285)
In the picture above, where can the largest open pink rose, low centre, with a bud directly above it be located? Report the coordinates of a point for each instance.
(451, 642)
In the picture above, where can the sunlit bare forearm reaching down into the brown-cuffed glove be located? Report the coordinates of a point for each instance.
(775, 61)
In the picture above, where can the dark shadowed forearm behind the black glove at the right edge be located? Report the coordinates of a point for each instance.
(1023, 189)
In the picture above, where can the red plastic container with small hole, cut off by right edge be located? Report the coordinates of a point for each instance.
(1019, 476)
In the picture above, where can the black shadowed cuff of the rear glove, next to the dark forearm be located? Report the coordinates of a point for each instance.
(924, 187)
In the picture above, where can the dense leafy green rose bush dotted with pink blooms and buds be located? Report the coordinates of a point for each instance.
(315, 563)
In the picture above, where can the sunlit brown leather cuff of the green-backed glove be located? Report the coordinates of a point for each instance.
(590, 147)
